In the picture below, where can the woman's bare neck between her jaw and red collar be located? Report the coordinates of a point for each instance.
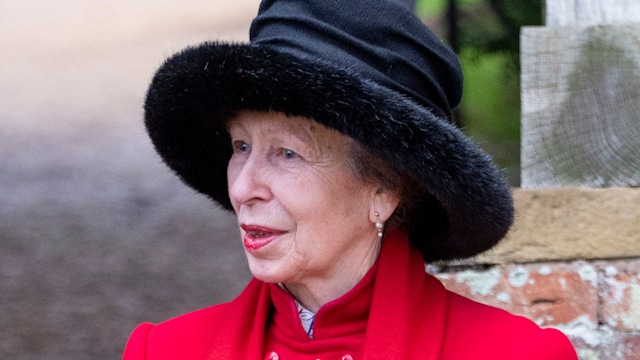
(314, 293)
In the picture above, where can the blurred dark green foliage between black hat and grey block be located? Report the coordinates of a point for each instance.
(489, 46)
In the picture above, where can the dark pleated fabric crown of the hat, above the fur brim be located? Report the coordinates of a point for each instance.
(381, 40)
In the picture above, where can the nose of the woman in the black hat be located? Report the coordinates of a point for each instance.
(248, 181)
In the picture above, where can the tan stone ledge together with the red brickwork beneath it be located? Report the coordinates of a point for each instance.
(594, 298)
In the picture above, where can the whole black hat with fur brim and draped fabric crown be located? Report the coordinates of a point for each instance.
(369, 69)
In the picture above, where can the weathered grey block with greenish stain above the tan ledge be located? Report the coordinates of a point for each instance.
(581, 96)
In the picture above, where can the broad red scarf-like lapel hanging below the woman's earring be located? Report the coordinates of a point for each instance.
(408, 310)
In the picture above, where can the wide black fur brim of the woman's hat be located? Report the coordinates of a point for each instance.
(196, 91)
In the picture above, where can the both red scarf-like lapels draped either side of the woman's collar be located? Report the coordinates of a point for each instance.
(406, 302)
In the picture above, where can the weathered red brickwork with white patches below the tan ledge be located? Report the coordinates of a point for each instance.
(596, 303)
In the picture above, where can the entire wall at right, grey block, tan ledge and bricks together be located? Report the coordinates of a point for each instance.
(572, 258)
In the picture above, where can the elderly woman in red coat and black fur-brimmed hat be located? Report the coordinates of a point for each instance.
(328, 136)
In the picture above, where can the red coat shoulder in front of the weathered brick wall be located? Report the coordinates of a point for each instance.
(476, 328)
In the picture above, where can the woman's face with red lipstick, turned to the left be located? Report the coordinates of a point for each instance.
(303, 214)
